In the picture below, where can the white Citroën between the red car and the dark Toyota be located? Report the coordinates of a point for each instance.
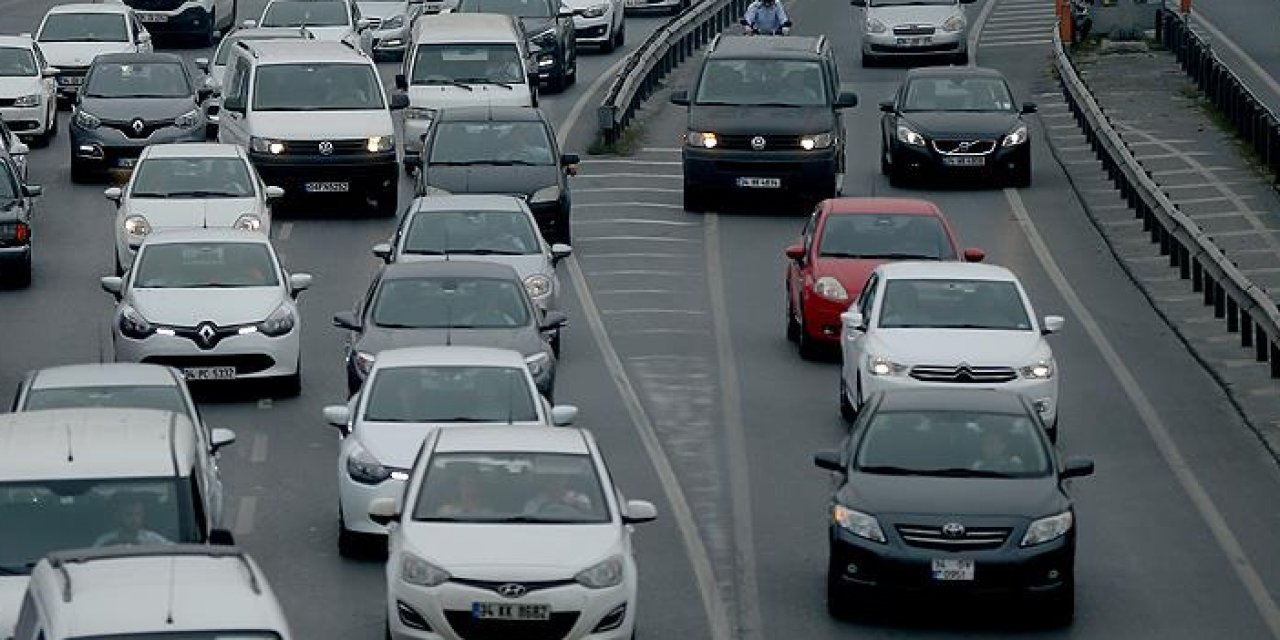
(962, 326)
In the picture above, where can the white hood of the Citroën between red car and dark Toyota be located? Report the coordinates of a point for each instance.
(949, 348)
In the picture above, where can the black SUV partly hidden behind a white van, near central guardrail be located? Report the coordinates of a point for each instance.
(550, 30)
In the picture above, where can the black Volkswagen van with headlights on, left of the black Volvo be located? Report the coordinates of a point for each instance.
(765, 118)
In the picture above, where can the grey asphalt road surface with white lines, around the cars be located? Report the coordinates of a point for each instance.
(678, 360)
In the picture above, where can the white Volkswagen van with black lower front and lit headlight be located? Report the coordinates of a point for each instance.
(316, 121)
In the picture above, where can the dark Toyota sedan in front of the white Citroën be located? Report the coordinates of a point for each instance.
(952, 492)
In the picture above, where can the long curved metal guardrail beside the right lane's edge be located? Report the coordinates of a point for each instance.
(1245, 307)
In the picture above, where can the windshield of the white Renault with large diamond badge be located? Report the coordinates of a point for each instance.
(205, 266)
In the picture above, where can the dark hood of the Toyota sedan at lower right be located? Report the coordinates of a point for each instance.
(888, 496)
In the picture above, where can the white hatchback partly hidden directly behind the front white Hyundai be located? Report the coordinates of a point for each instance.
(409, 394)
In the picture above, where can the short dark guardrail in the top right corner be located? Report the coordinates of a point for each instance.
(1252, 120)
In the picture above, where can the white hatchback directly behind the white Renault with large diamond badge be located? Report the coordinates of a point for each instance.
(189, 185)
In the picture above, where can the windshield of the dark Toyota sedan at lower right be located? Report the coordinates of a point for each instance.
(953, 444)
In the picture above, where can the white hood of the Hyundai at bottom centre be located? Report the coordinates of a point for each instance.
(499, 552)
